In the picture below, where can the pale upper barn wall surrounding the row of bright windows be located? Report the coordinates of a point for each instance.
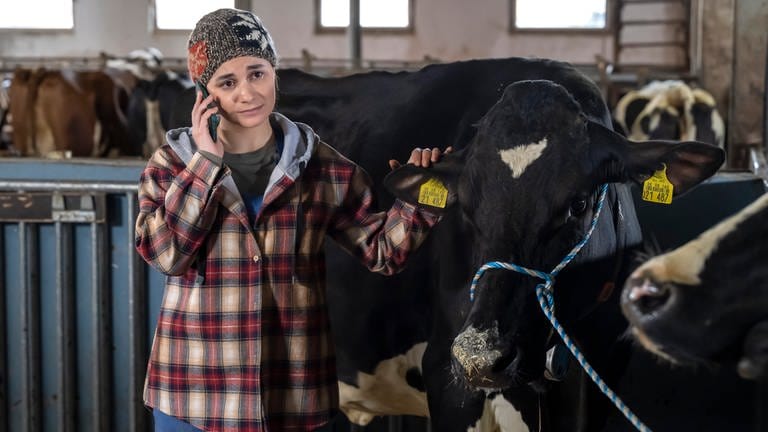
(444, 29)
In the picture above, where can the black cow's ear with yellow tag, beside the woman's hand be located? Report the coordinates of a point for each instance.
(434, 188)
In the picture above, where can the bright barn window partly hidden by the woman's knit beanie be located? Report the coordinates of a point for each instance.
(183, 14)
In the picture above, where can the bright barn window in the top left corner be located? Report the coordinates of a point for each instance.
(41, 14)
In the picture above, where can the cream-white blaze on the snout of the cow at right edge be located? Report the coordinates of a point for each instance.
(684, 264)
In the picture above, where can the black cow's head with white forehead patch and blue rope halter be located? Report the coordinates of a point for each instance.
(526, 191)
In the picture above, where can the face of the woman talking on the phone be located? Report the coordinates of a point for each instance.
(244, 88)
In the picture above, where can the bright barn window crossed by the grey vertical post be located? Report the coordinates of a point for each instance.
(374, 14)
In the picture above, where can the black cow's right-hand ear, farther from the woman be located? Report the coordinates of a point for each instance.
(688, 163)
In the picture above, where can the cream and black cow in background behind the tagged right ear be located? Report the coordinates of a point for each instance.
(670, 110)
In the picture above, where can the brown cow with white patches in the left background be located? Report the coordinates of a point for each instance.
(67, 113)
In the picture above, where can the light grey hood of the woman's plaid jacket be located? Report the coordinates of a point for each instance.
(298, 143)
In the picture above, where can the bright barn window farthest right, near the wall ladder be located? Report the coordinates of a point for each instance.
(559, 14)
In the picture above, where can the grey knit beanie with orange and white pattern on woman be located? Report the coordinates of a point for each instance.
(225, 34)
